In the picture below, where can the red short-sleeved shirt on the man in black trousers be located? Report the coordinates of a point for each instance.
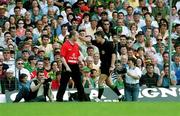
(70, 52)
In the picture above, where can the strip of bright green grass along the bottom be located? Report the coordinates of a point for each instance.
(91, 109)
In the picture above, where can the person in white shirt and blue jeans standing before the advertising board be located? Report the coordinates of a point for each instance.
(132, 81)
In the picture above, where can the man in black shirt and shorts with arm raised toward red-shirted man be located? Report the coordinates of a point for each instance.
(108, 57)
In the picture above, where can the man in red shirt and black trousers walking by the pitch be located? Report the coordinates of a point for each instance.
(70, 57)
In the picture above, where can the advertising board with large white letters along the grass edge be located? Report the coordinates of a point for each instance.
(146, 94)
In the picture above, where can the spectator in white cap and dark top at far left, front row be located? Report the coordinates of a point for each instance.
(9, 82)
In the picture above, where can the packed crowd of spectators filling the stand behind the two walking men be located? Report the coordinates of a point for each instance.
(33, 31)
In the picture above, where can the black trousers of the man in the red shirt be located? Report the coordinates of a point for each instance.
(76, 76)
